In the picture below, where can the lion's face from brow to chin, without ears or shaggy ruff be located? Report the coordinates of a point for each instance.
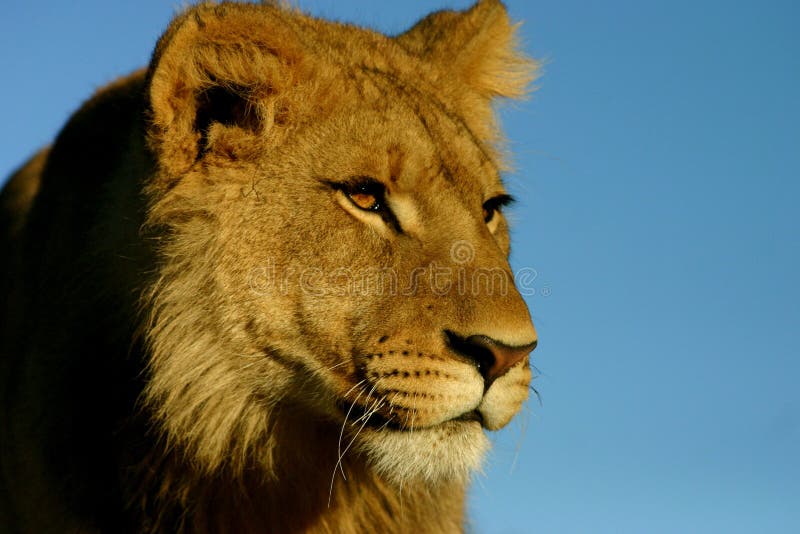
(387, 262)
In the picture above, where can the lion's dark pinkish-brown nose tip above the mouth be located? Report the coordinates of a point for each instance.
(493, 358)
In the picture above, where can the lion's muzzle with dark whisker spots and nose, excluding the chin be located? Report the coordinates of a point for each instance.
(424, 382)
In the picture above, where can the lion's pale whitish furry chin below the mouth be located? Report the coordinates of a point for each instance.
(449, 452)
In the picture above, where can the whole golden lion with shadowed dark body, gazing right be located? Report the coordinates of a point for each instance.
(263, 285)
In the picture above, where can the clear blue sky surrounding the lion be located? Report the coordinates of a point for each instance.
(658, 171)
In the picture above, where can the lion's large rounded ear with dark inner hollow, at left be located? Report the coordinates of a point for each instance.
(220, 75)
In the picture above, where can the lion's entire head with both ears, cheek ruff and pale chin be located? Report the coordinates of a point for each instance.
(335, 245)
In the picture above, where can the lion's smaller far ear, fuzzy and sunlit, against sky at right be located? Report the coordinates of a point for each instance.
(478, 46)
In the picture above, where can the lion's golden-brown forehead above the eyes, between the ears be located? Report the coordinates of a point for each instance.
(408, 138)
